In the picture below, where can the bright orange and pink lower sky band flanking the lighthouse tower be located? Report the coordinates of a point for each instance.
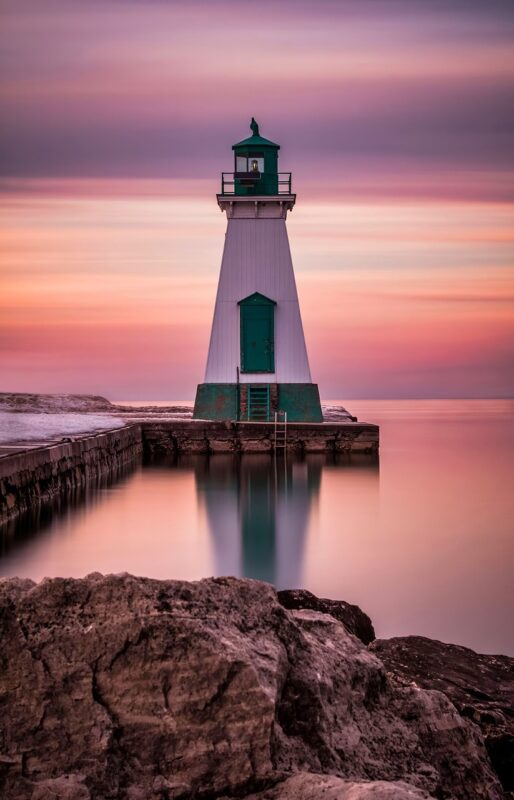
(114, 292)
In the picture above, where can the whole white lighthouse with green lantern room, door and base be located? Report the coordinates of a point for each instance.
(257, 363)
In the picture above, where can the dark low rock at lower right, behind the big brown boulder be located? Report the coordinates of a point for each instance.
(480, 686)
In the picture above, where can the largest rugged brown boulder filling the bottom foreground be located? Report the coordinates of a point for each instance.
(117, 687)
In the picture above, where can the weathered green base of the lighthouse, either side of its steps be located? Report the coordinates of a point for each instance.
(229, 401)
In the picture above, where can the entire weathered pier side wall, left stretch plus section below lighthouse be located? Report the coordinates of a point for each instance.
(34, 475)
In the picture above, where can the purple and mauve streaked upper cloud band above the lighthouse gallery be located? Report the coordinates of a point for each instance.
(387, 91)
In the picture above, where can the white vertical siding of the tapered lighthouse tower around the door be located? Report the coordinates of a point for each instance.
(256, 258)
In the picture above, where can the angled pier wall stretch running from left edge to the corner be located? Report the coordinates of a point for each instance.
(39, 475)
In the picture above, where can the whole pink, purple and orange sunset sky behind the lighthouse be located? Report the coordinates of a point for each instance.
(396, 119)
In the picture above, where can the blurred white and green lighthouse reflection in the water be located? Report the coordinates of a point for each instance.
(258, 510)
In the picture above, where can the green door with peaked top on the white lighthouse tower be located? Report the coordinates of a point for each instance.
(257, 334)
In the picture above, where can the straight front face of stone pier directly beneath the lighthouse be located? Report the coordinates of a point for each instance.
(190, 436)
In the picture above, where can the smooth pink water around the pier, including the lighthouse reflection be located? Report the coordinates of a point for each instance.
(423, 541)
